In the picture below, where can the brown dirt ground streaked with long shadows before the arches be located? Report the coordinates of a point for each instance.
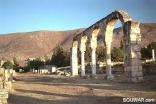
(32, 88)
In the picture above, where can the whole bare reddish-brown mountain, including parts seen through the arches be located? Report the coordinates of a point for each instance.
(40, 43)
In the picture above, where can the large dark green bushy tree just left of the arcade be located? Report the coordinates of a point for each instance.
(60, 57)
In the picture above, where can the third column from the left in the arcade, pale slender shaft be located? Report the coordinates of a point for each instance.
(94, 61)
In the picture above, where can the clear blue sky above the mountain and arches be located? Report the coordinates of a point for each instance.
(58, 15)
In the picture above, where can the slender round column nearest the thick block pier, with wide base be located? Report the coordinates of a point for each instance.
(109, 75)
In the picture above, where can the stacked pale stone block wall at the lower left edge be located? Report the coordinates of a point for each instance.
(6, 79)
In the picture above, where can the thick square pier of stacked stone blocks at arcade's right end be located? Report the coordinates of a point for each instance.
(132, 55)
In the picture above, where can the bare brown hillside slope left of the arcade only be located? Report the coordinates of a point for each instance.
(32, 44)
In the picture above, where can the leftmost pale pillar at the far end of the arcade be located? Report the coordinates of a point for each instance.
(74, 61)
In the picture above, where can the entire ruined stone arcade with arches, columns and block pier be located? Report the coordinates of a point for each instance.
(105, 26)
